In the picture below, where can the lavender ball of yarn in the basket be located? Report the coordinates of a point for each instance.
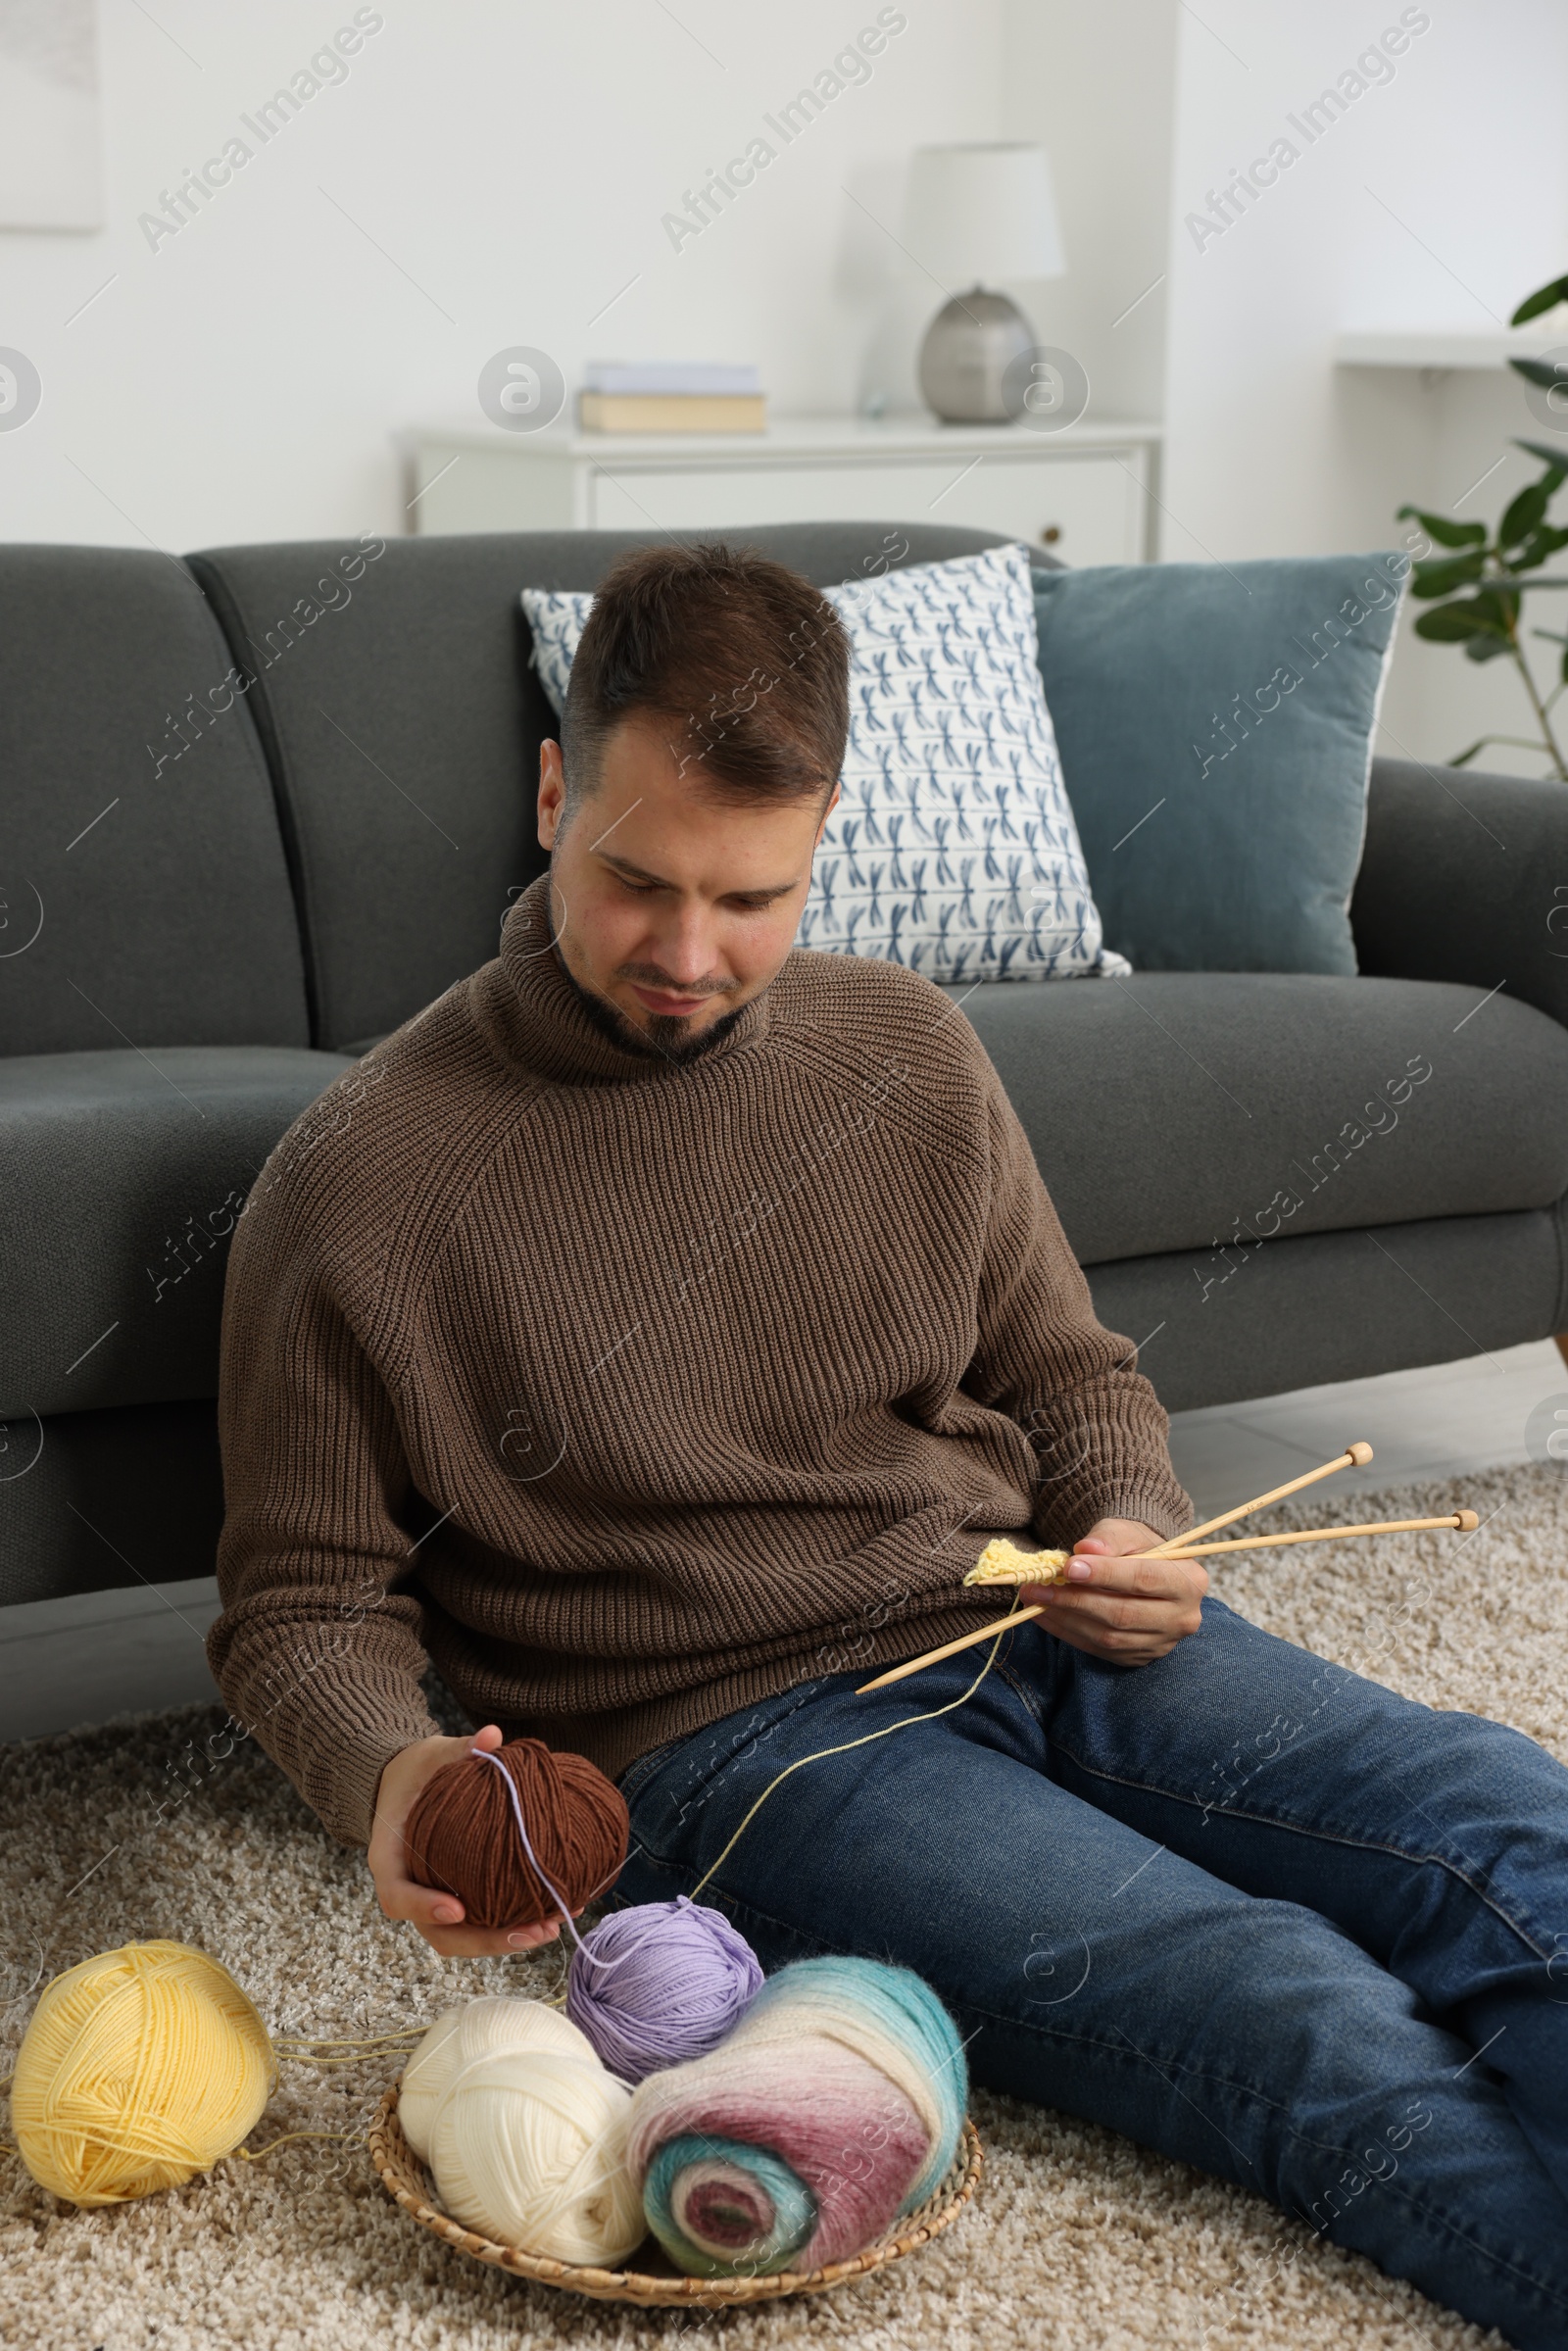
(659, 1985)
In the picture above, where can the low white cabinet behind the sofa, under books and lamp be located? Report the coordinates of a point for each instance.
(1087, 493)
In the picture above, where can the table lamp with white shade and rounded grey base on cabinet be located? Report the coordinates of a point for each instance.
(972, 215)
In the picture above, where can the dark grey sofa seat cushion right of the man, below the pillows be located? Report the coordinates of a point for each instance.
(1217, 1111)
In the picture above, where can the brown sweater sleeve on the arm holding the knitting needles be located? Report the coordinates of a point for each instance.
(1050, 1365)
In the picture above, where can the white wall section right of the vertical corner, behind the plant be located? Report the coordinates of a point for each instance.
(1438, 199)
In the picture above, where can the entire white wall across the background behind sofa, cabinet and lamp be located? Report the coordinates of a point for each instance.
(495, 173)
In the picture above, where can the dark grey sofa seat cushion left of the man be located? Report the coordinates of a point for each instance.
(123, 1177)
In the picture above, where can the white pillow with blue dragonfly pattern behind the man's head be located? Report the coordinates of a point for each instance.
(953, 848)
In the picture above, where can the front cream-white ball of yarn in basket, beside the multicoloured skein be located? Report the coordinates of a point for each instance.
(530, 2150)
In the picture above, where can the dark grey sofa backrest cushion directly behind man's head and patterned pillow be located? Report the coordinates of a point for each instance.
(403, 721)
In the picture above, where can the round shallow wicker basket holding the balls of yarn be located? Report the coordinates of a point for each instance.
(664, 2286)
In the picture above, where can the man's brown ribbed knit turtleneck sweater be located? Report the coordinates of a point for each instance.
(634, 1393)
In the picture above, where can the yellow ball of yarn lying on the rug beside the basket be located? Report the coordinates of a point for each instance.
(140, 2070)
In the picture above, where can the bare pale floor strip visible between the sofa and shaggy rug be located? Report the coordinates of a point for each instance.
(67, 1663)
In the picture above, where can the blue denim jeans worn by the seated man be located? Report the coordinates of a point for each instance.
(1240, 1905)
